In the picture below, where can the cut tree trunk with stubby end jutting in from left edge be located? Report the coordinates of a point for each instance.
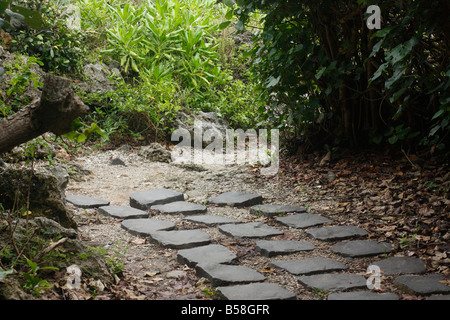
(53, 112)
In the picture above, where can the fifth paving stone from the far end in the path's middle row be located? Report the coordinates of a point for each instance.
(271, 248)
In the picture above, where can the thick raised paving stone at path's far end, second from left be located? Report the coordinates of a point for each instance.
(146, 199)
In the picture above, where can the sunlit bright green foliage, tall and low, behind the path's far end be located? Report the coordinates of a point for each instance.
(173, 55)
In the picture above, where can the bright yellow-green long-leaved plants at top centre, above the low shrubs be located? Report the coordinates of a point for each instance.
(174, 35)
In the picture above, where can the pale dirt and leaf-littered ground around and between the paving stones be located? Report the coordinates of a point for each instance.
(152, 272)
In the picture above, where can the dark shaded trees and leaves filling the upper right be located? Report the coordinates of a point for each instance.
(331, 79)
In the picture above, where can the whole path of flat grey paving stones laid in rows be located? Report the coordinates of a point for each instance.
(236, 281)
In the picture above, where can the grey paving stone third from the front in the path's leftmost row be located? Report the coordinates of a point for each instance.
(213, 253)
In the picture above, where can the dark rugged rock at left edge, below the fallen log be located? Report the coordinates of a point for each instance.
(46, 188)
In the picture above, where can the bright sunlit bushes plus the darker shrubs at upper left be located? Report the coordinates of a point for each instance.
(173, 54)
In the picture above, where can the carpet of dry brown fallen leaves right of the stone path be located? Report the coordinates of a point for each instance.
(403, 200)
